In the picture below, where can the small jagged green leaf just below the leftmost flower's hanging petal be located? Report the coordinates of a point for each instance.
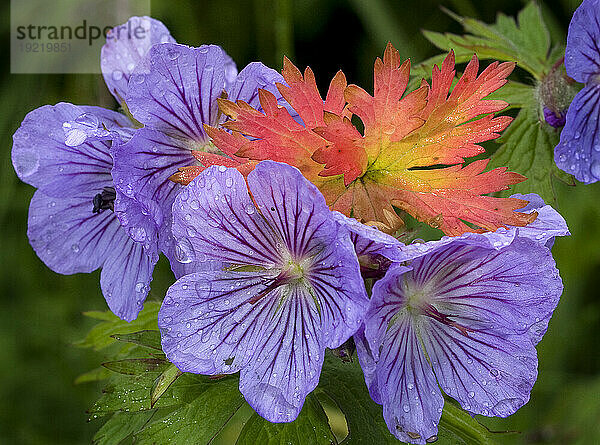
(99, 336)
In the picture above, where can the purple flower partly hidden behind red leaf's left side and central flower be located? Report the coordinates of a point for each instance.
(174, 92)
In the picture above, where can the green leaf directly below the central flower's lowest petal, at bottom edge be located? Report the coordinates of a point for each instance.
(311, 427)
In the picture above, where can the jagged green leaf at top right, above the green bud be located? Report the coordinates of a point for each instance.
(525, 41)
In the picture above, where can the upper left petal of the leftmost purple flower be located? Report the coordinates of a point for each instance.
(41, 157)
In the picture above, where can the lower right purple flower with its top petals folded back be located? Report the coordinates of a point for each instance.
(462, 313)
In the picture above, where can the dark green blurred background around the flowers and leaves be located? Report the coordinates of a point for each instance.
(40, 312)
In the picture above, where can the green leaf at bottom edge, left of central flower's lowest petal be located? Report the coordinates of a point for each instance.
(199, 421)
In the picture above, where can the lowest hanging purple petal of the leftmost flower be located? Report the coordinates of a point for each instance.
(126, 276)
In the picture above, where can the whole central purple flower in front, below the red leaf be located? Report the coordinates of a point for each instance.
(275, 282)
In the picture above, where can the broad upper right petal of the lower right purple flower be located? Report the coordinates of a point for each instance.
(507, 291)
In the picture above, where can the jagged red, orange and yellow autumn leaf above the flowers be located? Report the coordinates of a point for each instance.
(412, 149)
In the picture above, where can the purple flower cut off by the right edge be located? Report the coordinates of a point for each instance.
(578, 152)
